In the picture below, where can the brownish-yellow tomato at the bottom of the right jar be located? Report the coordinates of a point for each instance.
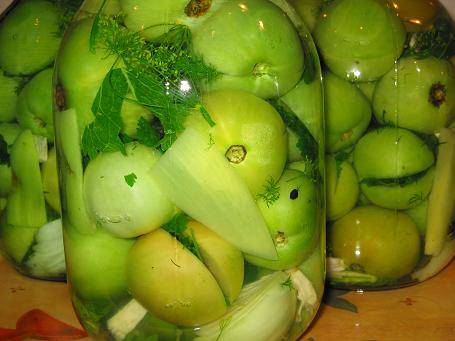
(384, 243)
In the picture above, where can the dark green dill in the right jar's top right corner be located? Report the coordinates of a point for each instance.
(438, 41)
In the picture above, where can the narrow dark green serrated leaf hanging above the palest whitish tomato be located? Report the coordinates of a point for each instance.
(102, 135)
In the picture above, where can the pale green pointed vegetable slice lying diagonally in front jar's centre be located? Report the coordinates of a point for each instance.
(200, 181)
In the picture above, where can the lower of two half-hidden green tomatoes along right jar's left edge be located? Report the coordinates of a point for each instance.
(342, 188)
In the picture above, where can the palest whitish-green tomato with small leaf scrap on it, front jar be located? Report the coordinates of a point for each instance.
(122, 196)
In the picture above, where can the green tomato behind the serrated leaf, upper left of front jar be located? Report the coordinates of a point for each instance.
(80, 81)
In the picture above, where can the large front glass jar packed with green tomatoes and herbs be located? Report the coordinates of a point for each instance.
(191, 158)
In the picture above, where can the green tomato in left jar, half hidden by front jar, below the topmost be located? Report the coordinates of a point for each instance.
(34, 105)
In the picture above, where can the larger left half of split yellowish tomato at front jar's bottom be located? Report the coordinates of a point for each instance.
(171, 282)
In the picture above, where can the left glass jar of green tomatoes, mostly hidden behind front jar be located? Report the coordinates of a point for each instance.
(30, 224)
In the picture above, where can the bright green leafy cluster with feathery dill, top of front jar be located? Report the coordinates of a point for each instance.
(162, 76)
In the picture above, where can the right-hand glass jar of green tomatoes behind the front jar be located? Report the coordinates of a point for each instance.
(390, 142)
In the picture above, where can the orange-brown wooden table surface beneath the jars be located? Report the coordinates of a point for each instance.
(422, 312)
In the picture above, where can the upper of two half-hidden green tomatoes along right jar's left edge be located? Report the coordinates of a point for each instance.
(347, 115)
